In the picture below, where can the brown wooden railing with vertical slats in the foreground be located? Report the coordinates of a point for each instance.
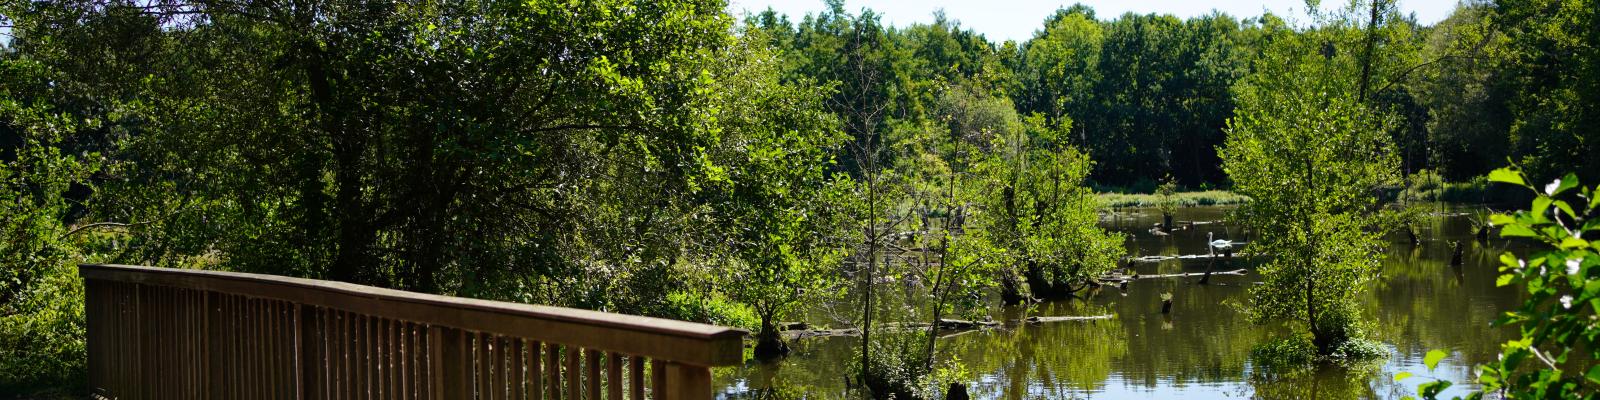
(174, 334)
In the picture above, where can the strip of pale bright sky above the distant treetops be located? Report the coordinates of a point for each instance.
(1017, 20)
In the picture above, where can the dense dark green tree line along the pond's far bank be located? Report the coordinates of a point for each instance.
(1150, 95)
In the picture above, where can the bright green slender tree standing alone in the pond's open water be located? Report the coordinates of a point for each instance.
(1310, 156)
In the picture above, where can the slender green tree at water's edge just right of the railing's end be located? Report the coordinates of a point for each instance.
(774, 202)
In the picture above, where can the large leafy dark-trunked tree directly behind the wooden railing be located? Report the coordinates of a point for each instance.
(402, 145)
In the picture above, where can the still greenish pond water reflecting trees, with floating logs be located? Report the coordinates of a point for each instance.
(1202, 348)
